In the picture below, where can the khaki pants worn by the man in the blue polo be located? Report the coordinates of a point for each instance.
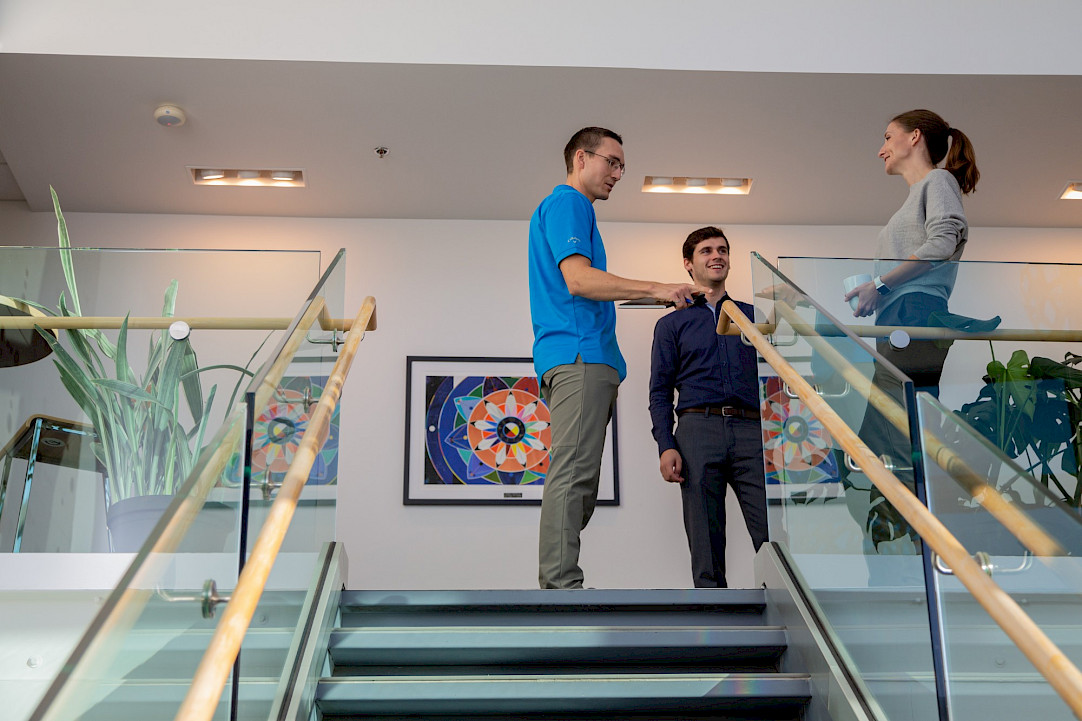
(580, 399)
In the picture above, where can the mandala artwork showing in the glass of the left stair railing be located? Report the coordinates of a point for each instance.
(281, 428)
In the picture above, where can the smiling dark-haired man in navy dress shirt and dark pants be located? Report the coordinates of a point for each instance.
(719, 442)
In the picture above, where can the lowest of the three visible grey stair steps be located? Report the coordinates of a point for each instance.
(756, 696)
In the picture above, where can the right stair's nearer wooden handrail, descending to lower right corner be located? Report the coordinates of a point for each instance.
(1046, 657)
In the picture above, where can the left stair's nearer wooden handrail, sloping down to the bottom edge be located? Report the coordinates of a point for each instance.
(214, 672)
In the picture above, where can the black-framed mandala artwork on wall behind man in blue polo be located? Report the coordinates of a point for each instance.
(478, 432)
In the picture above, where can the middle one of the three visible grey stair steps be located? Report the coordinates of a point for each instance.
(557, 645)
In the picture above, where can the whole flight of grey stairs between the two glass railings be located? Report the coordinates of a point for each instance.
(585, 654)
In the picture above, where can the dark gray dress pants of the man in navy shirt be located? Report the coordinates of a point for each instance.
(720, 452)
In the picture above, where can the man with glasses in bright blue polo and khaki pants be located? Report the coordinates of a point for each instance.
(576, 356)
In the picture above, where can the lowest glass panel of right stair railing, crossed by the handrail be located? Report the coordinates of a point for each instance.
(1032, 544)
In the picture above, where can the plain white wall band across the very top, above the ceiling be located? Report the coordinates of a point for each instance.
(1038, 37)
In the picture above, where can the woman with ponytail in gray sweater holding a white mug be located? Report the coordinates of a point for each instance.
(913, 282)
